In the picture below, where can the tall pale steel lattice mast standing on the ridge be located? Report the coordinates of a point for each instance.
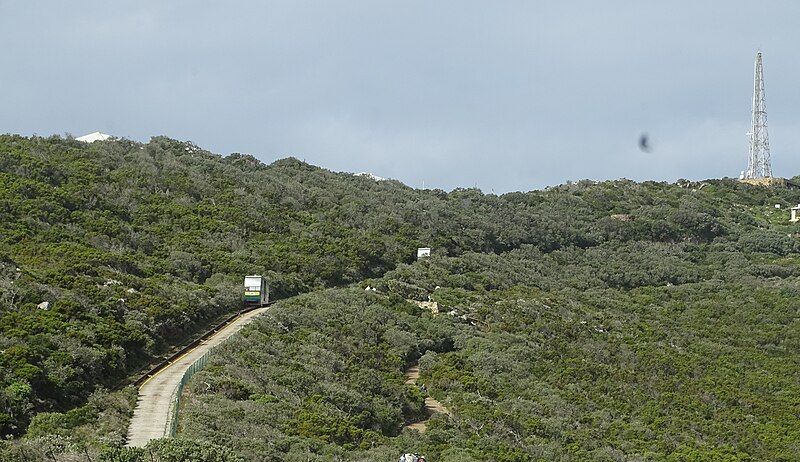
(758, 165)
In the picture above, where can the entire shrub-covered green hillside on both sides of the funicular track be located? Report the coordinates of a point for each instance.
(602, 321)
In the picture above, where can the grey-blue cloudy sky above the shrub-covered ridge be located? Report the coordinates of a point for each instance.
(511, 95)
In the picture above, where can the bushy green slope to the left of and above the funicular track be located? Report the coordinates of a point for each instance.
(135, 247)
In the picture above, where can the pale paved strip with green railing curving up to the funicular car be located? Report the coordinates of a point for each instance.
(152, 410)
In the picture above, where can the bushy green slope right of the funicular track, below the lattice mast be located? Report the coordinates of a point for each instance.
(674, 335)
